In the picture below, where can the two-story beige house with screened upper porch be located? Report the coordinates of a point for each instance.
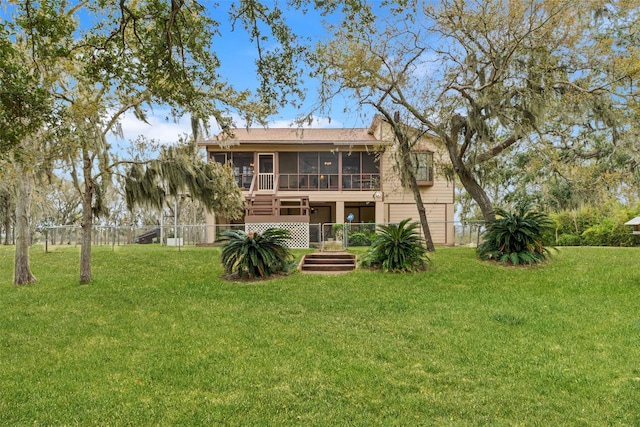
(329, 176)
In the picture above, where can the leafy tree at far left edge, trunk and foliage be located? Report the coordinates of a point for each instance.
(26, 118)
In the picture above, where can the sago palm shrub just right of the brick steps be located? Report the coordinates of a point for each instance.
(397, 248)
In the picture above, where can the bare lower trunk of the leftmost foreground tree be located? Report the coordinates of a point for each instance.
(22, 270)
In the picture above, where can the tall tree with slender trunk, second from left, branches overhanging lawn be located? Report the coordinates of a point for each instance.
(141, 54)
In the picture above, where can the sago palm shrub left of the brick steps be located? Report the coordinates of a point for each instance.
(256, 254)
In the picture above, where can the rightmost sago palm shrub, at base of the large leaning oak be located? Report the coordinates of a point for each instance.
(516, 237)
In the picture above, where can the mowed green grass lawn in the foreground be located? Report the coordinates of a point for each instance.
(159, 339)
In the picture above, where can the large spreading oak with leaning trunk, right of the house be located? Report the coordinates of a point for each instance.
(489, 77)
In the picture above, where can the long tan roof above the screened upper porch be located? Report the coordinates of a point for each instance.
(333, 136)
